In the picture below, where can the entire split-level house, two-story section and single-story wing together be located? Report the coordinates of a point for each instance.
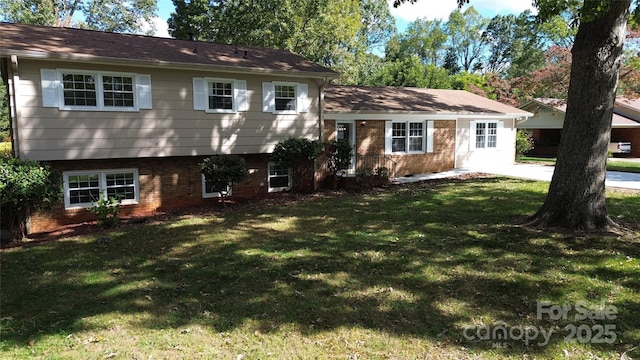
(132, 116)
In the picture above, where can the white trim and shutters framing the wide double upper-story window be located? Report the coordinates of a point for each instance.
(54, 86)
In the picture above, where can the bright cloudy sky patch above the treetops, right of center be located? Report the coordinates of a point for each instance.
(440, 9)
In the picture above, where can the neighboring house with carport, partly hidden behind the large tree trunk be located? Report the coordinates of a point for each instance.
(546, 124)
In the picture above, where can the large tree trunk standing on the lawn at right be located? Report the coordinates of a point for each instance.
(576, 198)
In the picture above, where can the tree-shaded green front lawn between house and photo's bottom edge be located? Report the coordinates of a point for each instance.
(395, 274)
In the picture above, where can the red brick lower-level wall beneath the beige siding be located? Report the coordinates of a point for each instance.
(165, 184)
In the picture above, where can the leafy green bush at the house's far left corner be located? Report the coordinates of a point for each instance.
(26, 185)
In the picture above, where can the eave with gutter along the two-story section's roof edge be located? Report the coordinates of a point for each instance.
(41, 55)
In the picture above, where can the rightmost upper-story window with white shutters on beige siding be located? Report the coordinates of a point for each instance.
(285, 97)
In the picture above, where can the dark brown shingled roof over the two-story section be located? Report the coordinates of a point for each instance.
(87, 45)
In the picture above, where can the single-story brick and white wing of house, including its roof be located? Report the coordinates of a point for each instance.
(419, 131)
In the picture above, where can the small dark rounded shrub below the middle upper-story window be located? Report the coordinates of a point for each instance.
(222, 171)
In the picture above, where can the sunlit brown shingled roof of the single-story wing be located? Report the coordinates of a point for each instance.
(345, 99)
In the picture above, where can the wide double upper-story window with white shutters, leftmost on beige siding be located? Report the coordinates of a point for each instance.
(87, 90)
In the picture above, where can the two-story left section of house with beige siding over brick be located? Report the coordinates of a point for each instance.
(132, 115)
